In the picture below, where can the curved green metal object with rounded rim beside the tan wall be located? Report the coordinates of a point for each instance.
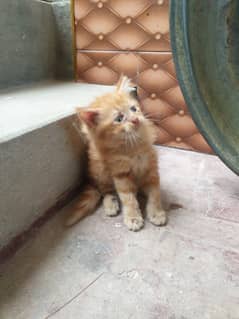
(205, 44)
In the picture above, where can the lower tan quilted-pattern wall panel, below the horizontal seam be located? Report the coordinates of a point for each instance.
(159, 91)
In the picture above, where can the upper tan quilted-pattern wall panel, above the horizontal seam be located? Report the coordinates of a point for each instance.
(138, 25)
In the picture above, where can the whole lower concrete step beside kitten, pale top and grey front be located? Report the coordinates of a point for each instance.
(41, 152)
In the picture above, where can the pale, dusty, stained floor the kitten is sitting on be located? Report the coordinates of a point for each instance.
(98, 269)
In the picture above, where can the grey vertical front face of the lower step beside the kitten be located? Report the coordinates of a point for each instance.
(35, 169)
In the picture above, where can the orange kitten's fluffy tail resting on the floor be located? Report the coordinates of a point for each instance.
(86, 205)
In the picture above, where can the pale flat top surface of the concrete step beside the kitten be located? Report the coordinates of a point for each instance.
(26, 108)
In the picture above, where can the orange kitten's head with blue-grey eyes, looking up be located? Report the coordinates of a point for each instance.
(116, 119)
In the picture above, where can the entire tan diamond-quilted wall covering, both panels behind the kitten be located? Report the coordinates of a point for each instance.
(132, 37)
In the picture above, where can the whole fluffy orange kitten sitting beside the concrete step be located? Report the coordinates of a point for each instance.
(121, 159)
